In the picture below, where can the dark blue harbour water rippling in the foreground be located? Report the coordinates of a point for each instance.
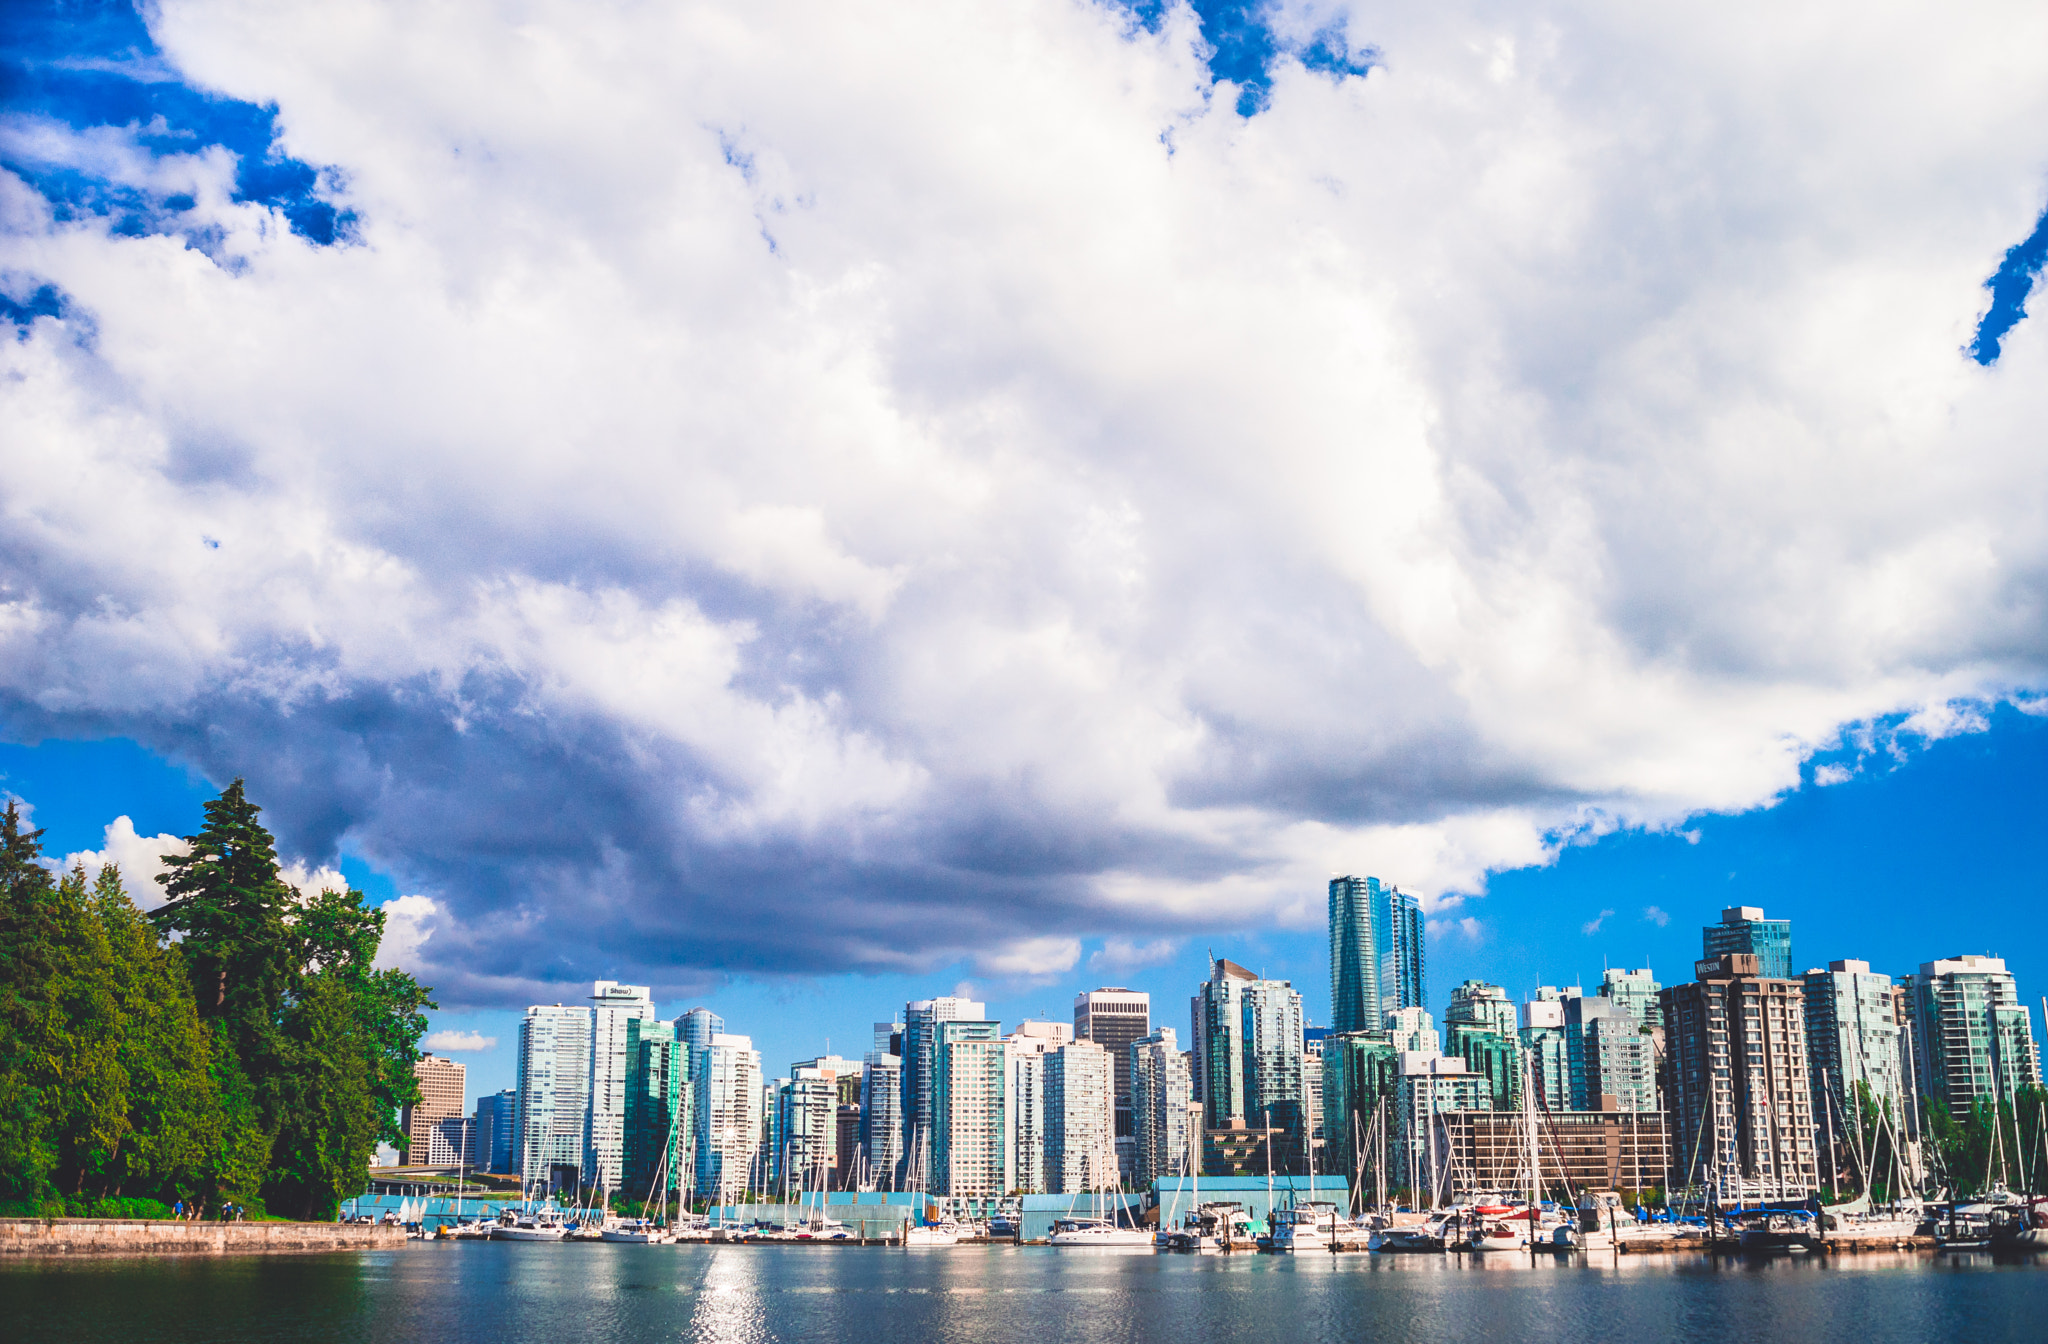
(511, 1294)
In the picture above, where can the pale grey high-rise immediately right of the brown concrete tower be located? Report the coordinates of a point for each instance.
(1852, 1046)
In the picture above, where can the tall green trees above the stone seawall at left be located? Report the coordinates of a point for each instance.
(232, 1046)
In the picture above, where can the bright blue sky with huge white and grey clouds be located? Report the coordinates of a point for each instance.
(812, 507)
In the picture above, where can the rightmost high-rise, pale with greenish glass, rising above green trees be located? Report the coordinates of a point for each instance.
(1973, 1040)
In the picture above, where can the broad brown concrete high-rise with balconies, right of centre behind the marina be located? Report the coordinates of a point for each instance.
(1736, 1083)
